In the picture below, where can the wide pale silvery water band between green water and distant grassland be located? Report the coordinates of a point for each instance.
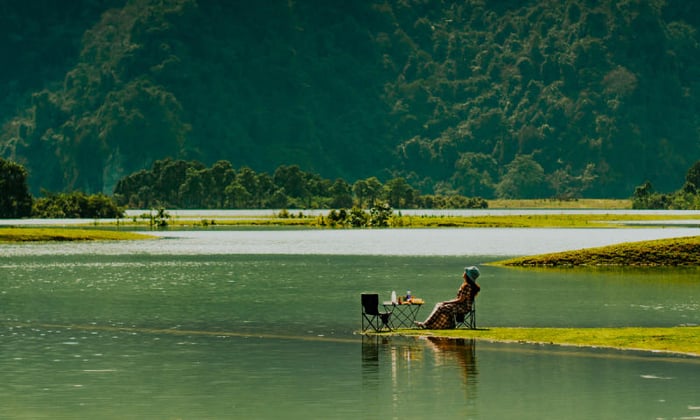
(479, 244)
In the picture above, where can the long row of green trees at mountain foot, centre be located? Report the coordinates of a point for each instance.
(191, 185)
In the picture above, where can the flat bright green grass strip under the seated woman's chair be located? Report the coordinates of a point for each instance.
(680, 340)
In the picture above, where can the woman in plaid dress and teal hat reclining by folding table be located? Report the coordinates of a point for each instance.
(442, 316)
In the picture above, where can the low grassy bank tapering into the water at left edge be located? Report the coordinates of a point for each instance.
(62, 234)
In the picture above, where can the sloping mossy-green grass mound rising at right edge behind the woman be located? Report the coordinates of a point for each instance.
(661, 252)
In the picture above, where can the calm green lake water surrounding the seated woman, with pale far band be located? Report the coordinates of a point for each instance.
(217, 324)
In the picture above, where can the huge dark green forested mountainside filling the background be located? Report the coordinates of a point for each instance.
(526, 98)
